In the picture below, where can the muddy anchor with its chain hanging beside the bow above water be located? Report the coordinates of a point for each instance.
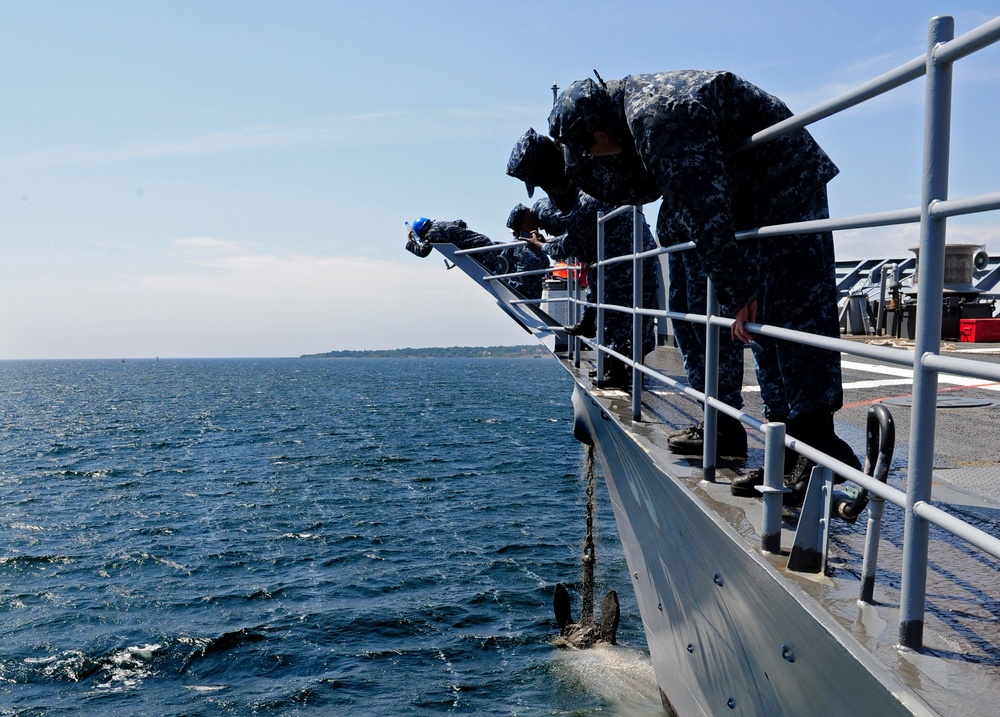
(585, 632)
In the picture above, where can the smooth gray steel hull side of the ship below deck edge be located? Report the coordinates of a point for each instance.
(728, 633)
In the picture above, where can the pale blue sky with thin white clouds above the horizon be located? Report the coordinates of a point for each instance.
(231, 178)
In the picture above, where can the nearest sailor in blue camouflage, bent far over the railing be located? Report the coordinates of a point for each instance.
(685, 127)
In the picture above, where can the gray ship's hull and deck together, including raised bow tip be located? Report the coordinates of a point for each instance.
(730, 628)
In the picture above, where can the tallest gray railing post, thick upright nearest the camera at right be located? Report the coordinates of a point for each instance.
(937, 131)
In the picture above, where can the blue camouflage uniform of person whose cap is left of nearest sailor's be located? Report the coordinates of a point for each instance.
(575, 235)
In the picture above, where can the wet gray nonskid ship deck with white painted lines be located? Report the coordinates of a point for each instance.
(962, 628)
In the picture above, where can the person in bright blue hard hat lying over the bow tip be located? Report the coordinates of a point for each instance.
(425, 232)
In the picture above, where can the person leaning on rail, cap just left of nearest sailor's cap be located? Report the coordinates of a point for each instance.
(574, 232)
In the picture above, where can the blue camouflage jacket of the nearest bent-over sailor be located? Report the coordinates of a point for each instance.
(684, 127)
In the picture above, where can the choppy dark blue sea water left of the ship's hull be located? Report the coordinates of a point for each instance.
(300, 537)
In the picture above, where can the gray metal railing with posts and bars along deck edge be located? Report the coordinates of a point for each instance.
(925, 359)
